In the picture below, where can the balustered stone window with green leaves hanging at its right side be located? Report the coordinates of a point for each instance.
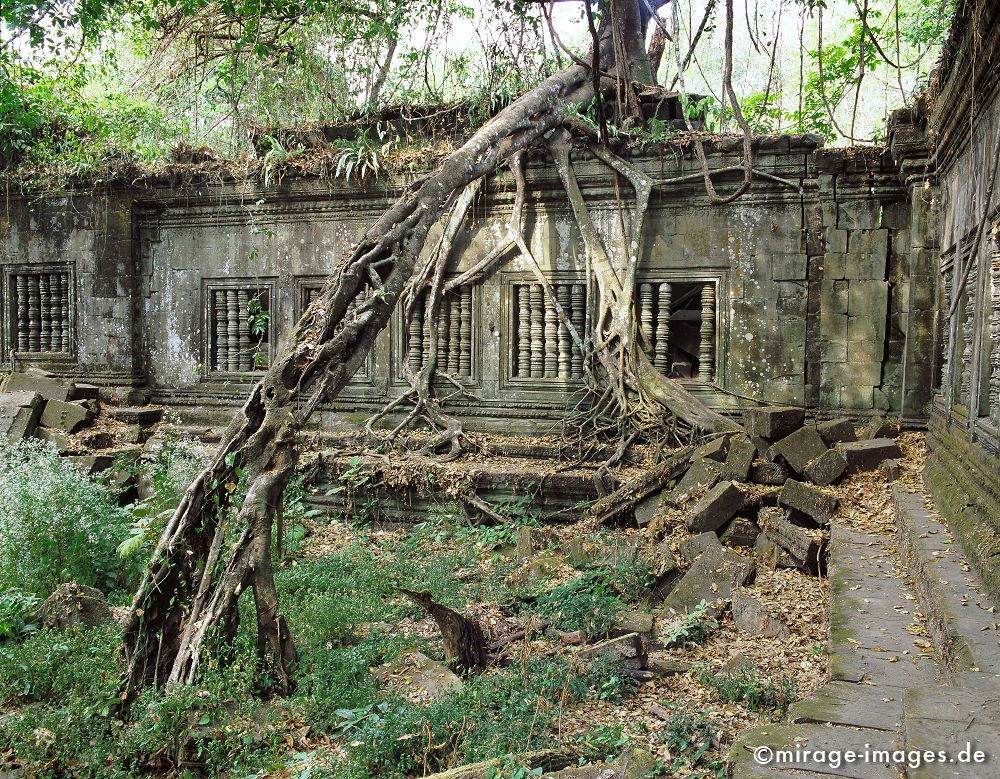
(239, 319)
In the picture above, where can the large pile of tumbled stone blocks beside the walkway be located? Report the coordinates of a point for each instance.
(764, 489)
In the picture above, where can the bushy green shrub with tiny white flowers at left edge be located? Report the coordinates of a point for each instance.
(57, 523)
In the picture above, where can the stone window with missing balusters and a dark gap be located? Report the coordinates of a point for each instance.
(677, 322)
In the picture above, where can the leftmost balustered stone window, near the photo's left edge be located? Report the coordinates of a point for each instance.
(40, 309)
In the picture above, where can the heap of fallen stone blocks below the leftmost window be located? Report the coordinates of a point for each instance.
(83, 424)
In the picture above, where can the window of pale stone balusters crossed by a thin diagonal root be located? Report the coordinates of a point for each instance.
(541, 344)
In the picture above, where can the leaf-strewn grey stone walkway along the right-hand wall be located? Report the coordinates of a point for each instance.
(890, 687)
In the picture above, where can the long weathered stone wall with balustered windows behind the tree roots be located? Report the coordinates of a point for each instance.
(800, 292)
